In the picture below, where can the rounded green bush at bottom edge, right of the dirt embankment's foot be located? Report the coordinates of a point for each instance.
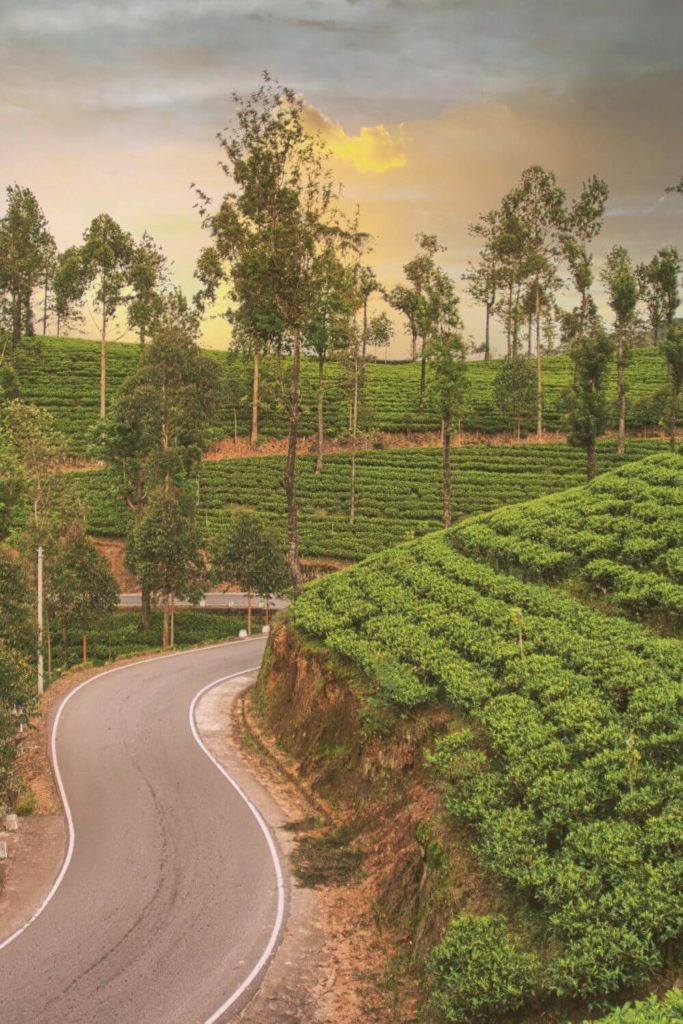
(479, 972)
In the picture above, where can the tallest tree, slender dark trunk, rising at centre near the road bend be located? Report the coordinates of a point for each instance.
(276, 231)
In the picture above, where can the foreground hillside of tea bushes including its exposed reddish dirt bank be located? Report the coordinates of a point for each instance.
(551, 730)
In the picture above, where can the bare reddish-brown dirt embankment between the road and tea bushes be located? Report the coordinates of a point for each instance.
(368, 767)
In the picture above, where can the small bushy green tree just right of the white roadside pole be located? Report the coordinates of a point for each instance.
(80, 589)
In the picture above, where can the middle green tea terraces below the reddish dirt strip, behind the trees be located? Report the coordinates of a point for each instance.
(399, 492)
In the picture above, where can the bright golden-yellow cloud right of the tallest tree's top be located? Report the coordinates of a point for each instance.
(375, 150)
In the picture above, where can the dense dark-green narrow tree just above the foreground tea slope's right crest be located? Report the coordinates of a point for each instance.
(591, 355)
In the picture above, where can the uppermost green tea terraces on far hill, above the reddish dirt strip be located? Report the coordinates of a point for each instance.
(62, 375)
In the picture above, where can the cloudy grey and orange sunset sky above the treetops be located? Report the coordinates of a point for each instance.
(433, 109)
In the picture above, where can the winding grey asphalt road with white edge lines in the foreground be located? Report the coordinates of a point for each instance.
(172, 899)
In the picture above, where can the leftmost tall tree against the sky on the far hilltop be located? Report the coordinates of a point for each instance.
(25, 243)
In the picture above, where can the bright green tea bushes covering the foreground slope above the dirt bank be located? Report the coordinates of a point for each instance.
(568, 774)
